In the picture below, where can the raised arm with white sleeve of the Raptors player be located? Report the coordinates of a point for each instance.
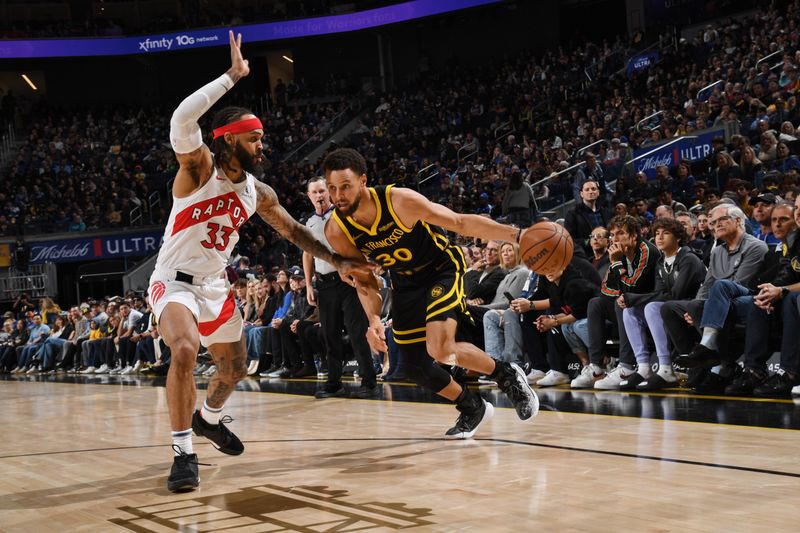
(194, 157)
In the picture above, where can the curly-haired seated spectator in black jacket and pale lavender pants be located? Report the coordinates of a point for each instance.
(679, 273)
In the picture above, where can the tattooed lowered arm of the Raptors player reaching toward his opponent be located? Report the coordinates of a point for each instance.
(275, 215)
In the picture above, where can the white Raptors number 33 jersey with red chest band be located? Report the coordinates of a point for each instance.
(203, 227)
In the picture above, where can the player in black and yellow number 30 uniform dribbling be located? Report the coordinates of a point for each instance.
(401, 230)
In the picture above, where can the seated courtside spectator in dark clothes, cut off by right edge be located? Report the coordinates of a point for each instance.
(775, 303)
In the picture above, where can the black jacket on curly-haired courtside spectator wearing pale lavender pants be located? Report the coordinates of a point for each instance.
(681, 282)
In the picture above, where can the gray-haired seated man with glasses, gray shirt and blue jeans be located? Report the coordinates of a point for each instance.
(733, 266)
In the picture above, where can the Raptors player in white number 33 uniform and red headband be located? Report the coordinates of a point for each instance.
(214, 195)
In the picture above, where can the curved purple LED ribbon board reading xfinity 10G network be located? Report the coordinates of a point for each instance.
(186, 40)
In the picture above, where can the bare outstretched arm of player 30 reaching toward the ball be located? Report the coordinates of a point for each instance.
(411, 206)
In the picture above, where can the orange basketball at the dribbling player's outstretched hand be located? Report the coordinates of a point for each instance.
(546, 247)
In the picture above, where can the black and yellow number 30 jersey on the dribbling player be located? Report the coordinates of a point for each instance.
(403, 251)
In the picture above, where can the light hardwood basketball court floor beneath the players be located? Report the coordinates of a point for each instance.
(92, 455)
